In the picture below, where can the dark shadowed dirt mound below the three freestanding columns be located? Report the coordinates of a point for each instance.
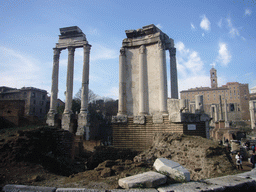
(45, 146)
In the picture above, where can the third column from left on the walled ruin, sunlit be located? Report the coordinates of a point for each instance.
(163, 80)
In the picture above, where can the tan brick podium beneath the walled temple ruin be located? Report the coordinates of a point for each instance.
(140, 136)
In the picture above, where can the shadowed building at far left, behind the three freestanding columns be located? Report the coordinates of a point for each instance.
(35, 101)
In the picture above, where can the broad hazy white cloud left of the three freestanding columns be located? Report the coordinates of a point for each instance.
(19, 69)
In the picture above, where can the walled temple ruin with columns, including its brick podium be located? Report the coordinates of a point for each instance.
(144, 107)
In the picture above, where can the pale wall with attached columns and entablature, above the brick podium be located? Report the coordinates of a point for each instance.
(142, 72)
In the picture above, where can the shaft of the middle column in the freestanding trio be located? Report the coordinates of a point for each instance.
(70, 74)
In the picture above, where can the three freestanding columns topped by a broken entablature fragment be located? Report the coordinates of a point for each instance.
(70, 38)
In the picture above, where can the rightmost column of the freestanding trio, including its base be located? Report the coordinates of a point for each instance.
(82, 117)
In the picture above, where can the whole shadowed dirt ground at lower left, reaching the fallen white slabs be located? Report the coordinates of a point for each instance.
(41, 157)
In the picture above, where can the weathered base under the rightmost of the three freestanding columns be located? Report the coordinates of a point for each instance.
(83, 125)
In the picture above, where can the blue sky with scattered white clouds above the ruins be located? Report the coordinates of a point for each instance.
(206, 33)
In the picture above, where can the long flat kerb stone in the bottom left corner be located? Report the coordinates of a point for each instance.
(14, 188)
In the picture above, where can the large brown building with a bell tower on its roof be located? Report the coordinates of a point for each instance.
(236, 94)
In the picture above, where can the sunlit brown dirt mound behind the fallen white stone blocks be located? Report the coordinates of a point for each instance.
(202, 157)
